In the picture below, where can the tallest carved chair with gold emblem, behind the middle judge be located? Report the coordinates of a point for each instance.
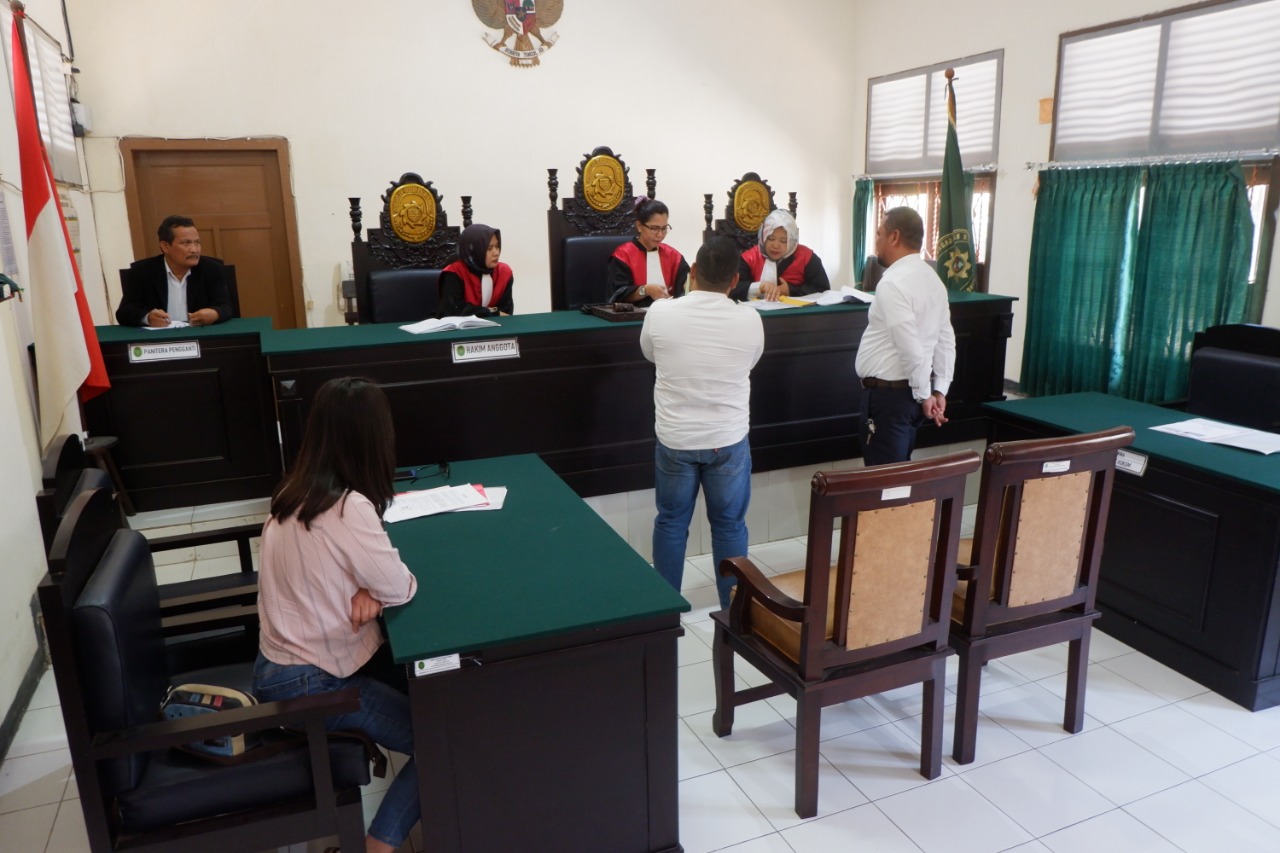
(584, 230)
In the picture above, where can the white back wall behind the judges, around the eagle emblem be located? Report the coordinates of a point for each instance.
(701, 93)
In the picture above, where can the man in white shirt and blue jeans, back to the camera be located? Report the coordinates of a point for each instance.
(705, 348)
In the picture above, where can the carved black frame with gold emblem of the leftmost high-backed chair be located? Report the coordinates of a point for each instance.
(414, 235)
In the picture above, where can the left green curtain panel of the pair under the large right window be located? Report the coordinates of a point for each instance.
(1084, 240)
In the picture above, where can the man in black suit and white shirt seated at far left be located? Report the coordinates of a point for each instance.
(176, 285)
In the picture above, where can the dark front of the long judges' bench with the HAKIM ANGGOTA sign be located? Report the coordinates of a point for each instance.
(582, 393)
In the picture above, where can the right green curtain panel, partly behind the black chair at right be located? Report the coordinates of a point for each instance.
(1192, 272)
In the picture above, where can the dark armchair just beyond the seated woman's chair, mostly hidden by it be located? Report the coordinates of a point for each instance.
(205, 621)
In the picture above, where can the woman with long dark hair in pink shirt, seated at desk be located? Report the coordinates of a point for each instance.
(327, 571)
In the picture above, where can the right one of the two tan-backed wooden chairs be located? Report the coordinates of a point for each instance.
(1043, 513)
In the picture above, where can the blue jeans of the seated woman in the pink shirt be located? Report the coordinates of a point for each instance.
(383, 717)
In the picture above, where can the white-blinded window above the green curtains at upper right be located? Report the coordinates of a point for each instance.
(1197, 81)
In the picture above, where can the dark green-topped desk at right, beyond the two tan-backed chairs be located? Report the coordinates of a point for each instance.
(1192, 555)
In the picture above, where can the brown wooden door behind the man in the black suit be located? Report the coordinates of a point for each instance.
(239, 193)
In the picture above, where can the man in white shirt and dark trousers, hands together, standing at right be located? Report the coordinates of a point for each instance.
(908, 354)
